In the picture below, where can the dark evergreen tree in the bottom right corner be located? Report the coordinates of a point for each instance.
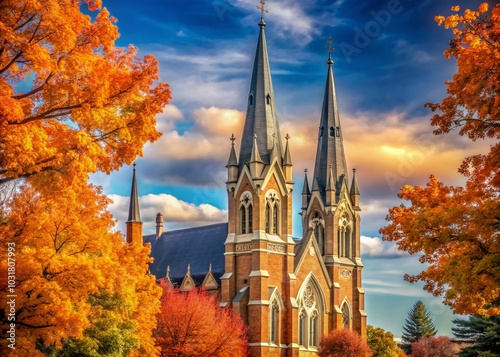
(482, 332)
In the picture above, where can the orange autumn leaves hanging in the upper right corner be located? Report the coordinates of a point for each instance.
(473, 101)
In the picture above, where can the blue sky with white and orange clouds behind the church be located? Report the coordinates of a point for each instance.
(388, 63)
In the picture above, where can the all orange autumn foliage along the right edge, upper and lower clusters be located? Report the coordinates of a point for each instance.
(457, 229)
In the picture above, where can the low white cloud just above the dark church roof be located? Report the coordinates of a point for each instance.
(176, 213)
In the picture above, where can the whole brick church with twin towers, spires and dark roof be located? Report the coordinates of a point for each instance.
(289, 291)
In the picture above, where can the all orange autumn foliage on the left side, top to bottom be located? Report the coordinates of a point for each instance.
(71, 103)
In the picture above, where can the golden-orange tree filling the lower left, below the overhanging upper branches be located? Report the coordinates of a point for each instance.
(64, 253)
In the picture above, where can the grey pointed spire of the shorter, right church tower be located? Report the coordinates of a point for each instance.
(330, 151)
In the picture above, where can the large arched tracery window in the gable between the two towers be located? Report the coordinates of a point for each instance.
(311, 307)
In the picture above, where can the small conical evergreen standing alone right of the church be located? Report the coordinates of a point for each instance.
(418, 324)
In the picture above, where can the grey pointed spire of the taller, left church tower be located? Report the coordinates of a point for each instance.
(261, 118)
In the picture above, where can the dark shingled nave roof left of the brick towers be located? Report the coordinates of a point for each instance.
(198, 246)
